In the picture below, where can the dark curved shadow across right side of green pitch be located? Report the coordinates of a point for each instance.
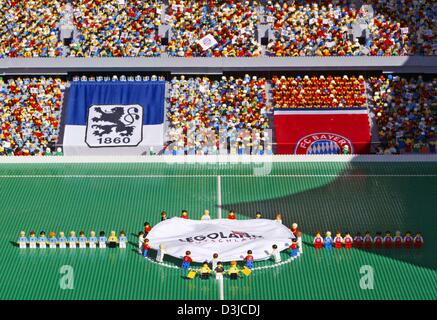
(362, 203)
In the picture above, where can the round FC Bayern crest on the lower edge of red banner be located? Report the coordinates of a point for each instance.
(324, 143)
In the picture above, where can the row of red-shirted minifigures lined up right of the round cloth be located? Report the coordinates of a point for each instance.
(367, 241)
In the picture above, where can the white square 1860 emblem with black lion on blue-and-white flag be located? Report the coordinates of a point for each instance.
(114, 126)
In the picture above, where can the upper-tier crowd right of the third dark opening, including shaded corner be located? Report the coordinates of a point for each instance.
(304, 28)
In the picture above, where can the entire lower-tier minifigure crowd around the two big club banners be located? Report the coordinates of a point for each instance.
(230, 115)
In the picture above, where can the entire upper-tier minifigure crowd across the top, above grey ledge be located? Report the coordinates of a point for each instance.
(130, 28)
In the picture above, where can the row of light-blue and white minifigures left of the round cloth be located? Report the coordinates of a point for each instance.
(72, 241)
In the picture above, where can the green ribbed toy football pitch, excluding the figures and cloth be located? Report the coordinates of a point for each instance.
(319, 196)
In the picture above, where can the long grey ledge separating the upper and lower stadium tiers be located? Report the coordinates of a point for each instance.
(399, 64)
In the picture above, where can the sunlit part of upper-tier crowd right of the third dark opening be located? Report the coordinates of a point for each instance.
(304, 29)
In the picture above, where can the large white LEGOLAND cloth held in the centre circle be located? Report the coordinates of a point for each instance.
(231, 239)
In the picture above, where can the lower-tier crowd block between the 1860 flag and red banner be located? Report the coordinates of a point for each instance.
(205, 115)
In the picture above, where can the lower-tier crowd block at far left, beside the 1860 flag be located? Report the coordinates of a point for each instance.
(30, 115)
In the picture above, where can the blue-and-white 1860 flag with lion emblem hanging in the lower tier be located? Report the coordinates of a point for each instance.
(115, 117)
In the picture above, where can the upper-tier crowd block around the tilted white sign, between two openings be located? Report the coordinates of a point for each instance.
(231, 23)
